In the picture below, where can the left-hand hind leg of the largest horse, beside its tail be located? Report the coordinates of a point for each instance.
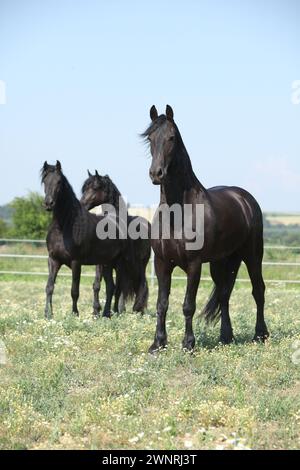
(224, 273)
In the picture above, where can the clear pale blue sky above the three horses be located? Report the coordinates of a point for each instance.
(81, 76)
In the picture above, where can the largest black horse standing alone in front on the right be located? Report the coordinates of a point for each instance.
(233, 232)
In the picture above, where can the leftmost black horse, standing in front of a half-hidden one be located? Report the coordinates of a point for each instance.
(72, 241)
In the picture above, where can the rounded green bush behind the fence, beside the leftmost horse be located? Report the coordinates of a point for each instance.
(30, 220)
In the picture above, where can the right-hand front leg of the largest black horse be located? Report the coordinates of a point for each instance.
(189, 305)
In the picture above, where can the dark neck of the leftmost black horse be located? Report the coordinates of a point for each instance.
(67, 209)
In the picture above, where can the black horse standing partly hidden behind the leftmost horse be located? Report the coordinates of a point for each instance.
(98, 190)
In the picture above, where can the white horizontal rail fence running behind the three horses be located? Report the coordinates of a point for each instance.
(151, 276)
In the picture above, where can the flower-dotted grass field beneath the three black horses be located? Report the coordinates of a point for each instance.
(84, 383)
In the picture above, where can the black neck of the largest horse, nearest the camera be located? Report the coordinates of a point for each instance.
(180, 180)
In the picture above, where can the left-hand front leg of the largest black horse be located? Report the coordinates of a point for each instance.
(164, 274)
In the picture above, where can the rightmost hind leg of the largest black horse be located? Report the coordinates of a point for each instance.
(253, 262)
